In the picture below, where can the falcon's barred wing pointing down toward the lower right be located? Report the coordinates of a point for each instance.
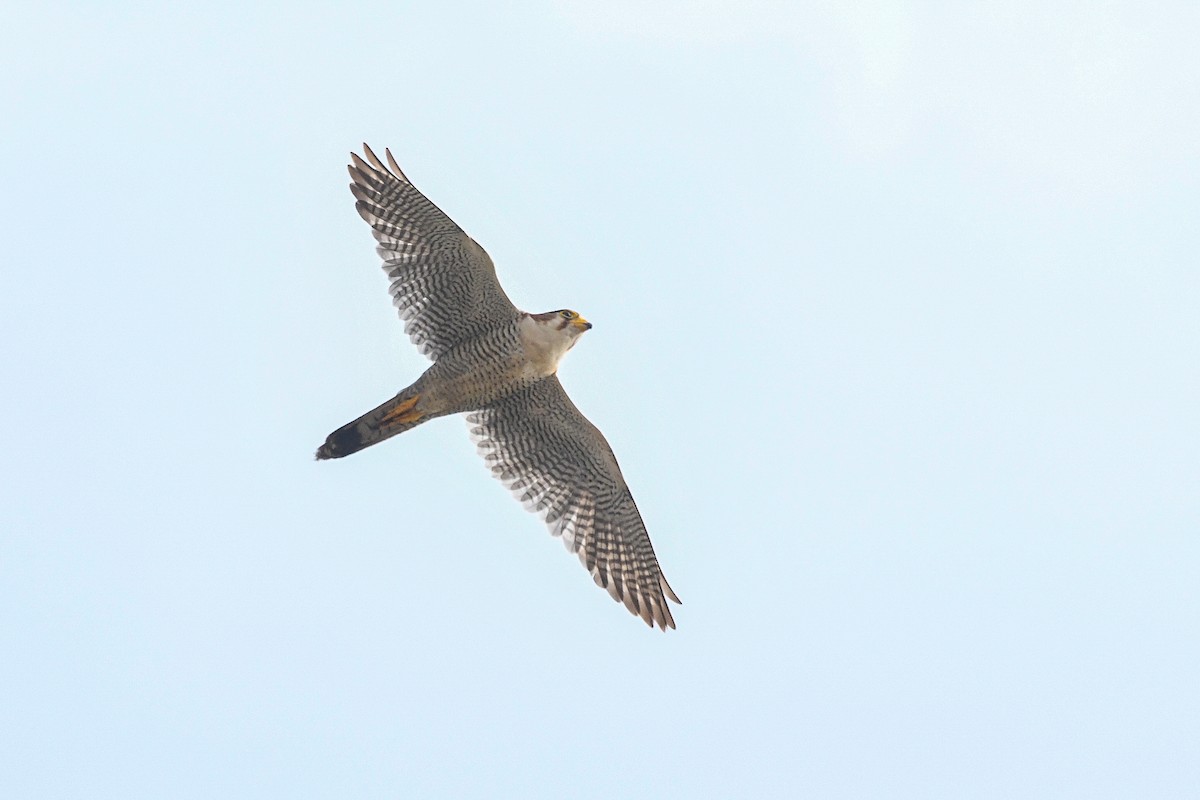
(559, 465)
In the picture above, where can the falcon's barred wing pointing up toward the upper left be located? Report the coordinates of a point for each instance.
(443, 284)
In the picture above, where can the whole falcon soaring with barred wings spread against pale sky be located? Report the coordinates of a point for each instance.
(499, 365)
